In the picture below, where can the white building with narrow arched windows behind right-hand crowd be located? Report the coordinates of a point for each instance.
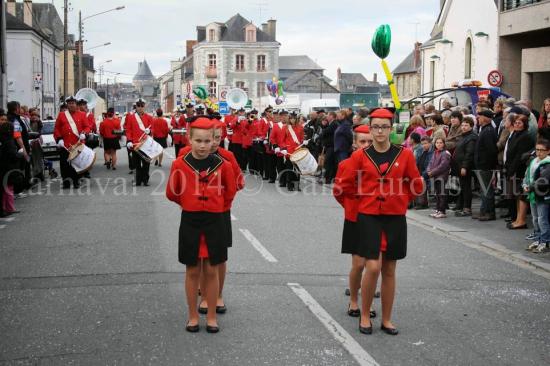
(463, 44)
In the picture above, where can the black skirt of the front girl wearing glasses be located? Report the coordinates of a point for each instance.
(369, 229)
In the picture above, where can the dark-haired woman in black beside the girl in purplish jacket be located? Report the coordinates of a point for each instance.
(463, 158)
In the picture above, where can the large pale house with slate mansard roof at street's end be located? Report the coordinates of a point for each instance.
(236, 54)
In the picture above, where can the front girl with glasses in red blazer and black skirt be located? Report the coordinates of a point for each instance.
(384, 178)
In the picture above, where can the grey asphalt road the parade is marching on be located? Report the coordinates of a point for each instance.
(92, 278)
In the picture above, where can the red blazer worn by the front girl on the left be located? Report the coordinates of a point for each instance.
(211, 192)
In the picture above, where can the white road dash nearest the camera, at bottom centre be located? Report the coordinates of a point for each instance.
(362, 357)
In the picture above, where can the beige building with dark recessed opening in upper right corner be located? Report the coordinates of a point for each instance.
(524, 49)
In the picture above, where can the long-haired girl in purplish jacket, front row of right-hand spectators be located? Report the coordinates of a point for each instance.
(438, 171)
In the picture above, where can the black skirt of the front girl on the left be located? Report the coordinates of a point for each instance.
(192, 225)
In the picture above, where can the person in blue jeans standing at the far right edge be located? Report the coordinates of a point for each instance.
(536, 185)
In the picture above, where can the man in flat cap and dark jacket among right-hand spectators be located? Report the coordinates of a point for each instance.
(485, 160)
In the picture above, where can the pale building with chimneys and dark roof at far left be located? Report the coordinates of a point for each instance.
(32, 63)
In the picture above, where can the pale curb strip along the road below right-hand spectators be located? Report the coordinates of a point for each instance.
(464, 235)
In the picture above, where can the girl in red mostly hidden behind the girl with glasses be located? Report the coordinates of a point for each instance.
(362, 140)
